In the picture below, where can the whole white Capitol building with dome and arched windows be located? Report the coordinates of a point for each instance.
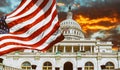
(75, 52)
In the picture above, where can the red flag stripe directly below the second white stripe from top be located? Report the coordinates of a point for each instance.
(25, 18)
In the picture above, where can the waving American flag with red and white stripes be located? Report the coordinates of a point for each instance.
(33, 25)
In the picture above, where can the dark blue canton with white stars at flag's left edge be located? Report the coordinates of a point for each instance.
(3, 26)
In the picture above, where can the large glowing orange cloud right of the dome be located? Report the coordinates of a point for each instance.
(96, 24)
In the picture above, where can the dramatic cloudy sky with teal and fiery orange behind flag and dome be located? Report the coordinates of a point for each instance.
(97, 18)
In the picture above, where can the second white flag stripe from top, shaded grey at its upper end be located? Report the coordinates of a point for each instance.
(31, 10)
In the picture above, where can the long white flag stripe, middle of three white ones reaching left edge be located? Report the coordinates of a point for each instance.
(33, 41)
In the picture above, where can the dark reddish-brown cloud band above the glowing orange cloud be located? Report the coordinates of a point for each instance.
(108, 9)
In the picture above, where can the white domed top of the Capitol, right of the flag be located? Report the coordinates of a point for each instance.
(70, 28)
